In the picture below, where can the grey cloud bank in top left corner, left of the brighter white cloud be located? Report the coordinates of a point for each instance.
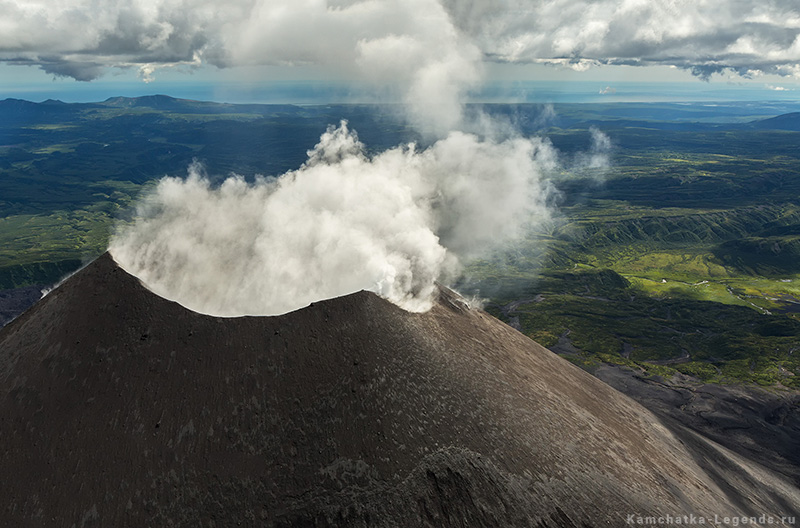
(82, 38)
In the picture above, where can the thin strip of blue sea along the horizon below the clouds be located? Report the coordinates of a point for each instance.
(312, 92)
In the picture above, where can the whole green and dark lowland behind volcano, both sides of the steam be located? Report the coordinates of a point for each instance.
(682, 256)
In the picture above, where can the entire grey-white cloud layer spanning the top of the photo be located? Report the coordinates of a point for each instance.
(408, 43)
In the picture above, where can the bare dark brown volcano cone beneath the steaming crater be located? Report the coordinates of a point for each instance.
(120, 408)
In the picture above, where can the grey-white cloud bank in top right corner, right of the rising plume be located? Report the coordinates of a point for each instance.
(704, 37)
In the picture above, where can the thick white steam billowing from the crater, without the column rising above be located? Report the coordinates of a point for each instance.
(394, 224)
